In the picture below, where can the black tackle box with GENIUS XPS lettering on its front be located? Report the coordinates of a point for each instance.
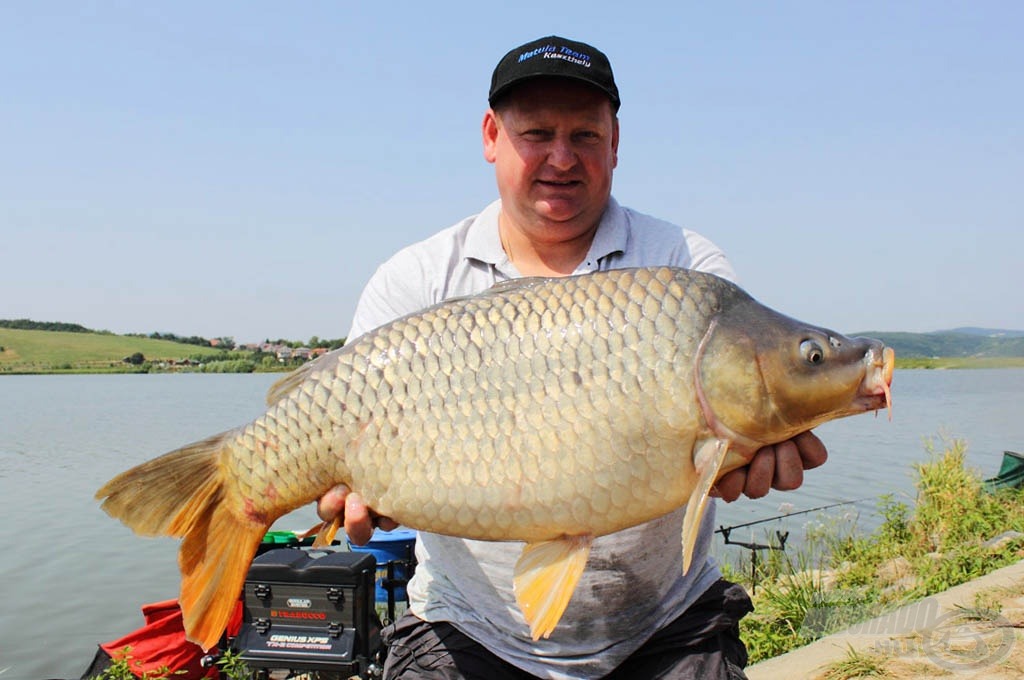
(310, 611)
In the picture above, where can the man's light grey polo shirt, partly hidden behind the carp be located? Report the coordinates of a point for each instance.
(634, 582)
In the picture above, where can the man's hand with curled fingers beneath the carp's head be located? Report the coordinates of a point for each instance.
(781, 466)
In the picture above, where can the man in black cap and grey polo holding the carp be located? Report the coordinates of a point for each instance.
(552, 135)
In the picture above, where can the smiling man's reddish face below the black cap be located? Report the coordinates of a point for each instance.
(554, 144)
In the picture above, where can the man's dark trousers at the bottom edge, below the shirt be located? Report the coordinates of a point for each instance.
(702, 644)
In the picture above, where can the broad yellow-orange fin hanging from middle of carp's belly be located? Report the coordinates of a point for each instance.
(545, 577)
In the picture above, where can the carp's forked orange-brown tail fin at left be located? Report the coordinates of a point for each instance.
(182, 494)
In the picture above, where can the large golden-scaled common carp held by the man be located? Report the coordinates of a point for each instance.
(548, 411)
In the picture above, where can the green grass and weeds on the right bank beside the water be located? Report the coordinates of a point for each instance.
(842, 577)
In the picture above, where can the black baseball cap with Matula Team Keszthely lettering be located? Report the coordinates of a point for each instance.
(559, 58)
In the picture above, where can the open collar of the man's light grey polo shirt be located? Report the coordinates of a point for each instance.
(484, 241)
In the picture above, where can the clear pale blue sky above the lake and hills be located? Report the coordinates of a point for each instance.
(240, 169)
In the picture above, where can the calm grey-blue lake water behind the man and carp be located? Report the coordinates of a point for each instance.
(73, 577)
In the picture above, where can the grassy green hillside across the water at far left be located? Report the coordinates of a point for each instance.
(56, 352)
